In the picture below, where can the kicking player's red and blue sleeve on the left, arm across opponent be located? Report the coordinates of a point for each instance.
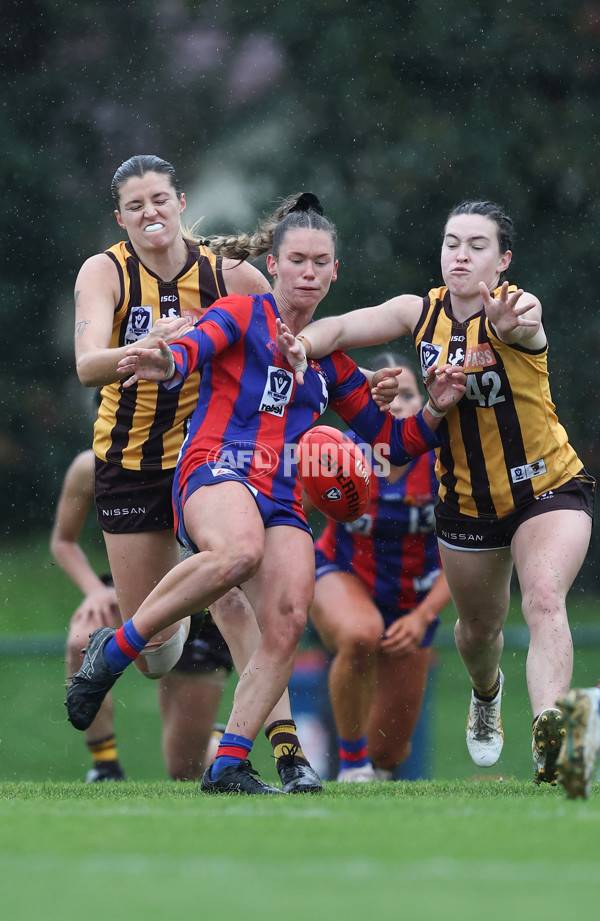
(220, 327)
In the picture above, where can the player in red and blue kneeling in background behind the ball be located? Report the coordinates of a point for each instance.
(379, 590)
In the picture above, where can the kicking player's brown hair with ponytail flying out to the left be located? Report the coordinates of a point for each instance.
(302, 210)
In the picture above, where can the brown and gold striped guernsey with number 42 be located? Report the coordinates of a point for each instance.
(503, 444)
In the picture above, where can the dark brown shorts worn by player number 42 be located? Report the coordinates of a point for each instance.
(462, 532)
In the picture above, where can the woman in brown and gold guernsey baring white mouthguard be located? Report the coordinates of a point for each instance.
(156, 282)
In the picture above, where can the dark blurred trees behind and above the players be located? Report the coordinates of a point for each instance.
(391, 111)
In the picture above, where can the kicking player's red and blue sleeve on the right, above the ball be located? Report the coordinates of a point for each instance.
(351, 399)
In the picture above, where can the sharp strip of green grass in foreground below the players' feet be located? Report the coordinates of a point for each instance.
(418, 851)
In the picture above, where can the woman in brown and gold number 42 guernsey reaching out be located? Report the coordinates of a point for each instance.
(512, 490)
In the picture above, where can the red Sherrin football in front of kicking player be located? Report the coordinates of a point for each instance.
(334, 472)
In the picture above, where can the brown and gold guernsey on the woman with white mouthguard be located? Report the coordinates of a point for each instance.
(142, 428)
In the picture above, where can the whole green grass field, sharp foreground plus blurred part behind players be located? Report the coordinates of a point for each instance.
(465, 844)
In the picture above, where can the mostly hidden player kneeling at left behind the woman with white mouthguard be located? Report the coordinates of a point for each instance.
(189, 695)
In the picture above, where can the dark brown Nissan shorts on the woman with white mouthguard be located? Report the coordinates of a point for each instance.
(133, 501)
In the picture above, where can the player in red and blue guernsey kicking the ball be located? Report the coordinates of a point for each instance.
(247, 523)
